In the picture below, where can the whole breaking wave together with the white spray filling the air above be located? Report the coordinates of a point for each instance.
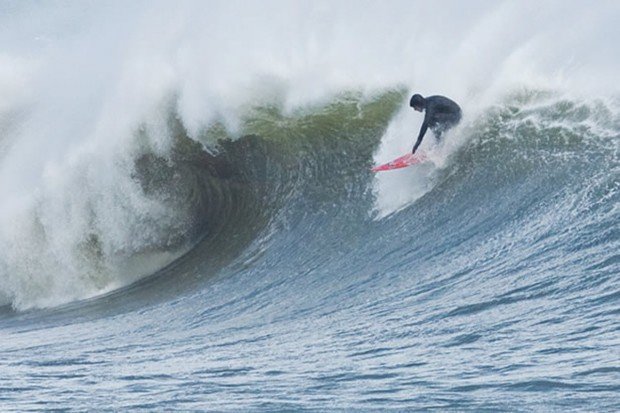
(115, 165)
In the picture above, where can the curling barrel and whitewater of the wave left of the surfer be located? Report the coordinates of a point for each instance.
(167, 203)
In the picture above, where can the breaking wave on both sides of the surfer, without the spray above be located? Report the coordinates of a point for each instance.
(535, 150)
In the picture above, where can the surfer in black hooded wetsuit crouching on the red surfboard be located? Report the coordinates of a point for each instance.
(441, 114)
